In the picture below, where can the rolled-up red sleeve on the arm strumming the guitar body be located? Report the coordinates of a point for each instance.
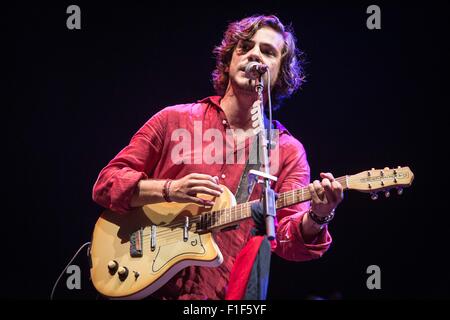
(117, 182)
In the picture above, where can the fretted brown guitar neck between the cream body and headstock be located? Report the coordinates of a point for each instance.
(229, 216)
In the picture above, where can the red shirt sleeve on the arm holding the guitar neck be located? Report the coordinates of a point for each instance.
(290, 244)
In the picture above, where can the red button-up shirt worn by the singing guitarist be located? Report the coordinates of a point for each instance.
(149, 155)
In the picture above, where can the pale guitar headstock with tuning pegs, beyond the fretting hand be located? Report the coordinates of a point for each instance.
(375, 180)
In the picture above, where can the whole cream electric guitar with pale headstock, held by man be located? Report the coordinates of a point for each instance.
(133, 255)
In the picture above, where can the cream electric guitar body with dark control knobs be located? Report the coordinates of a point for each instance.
(115, 273)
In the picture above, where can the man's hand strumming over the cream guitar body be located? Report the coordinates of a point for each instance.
(186, 188)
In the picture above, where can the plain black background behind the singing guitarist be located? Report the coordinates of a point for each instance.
(373, 99)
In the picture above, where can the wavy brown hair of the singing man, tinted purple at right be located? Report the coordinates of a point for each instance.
(291, 75)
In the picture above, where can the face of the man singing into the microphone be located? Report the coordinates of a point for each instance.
(265, 47)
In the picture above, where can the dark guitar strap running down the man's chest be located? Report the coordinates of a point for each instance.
(245, 188)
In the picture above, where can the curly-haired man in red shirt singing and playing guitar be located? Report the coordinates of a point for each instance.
(148, 170)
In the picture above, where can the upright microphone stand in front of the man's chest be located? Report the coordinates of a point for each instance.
(265, 143)
